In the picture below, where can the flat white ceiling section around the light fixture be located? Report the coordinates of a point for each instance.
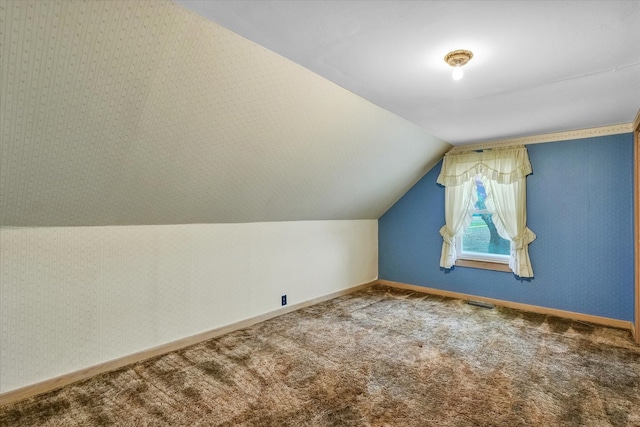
(538, 66)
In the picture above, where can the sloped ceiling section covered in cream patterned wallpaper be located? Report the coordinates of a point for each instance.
(143, 112)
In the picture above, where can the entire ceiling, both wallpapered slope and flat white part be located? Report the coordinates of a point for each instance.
(149, 112)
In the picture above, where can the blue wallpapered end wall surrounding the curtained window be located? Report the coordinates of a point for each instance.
(579, 204)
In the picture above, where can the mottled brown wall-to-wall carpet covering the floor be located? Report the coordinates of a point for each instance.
(378, 357)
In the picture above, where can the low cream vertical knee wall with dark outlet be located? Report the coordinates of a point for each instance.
(77, 296)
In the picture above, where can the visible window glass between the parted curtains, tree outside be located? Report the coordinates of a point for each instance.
(481, 240)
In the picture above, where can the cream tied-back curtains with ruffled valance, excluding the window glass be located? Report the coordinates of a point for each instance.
(503, 173)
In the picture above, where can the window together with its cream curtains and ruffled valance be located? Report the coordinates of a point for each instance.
(485, 210)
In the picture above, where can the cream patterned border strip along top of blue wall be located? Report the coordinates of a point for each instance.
(549, 137)
